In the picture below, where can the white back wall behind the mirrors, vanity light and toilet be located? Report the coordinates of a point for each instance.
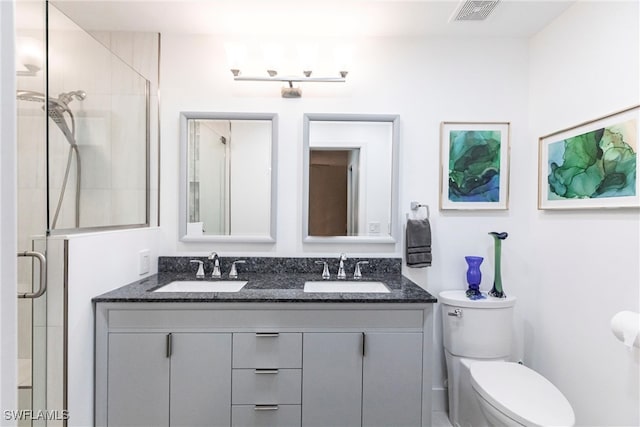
(425, 81)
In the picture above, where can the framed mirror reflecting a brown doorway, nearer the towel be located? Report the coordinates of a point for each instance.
(350, 178)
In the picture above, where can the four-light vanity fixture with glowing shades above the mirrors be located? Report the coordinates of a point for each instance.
(273, 56)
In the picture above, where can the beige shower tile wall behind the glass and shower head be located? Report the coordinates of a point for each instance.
(110, 121)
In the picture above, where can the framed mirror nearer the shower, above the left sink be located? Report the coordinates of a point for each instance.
(228, 177)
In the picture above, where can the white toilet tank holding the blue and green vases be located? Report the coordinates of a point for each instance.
(476, 328)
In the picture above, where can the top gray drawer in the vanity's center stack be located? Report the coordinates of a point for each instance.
(267, 350)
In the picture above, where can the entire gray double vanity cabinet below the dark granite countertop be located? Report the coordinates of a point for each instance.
(268, 365)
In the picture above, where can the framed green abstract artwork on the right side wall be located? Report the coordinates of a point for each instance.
(591, 165)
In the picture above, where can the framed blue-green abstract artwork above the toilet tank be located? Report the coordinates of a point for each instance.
(474, 165)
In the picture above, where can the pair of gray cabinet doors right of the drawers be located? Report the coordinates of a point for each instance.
(362, 379)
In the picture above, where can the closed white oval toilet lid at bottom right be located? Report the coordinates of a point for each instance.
(521, 393)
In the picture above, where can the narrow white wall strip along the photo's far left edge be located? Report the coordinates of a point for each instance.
(8, 223)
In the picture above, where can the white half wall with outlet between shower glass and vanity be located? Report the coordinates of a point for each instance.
(98, 263)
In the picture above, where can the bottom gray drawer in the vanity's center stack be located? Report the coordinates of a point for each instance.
(266, 416)
